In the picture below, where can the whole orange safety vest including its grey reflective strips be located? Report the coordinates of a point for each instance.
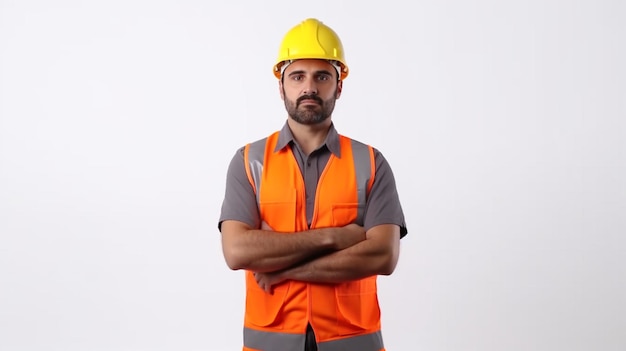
(345, 316)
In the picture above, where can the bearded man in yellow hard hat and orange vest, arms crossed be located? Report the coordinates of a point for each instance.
(312, 216)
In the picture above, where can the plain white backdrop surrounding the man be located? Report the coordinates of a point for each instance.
(504, 122)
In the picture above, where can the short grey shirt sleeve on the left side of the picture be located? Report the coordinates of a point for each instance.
(239, 200)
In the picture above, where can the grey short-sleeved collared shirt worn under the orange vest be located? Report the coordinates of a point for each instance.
(382, 207)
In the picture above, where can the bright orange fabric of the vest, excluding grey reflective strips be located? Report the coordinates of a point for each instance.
(335, 311)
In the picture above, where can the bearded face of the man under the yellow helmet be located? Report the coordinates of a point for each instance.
(309, 89)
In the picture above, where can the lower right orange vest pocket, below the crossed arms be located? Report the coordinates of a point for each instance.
(358, 308)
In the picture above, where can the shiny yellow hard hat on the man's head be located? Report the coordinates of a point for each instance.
(311, 39)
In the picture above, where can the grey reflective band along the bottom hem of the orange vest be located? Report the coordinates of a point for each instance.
(271, 341)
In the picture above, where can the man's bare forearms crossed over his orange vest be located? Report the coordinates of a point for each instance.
(328, 255)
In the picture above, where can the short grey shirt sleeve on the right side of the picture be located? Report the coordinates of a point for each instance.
(383, 204)
